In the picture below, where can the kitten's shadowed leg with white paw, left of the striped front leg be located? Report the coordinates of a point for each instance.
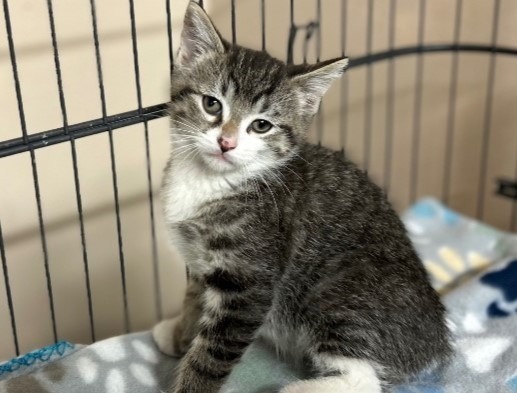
(174, 336)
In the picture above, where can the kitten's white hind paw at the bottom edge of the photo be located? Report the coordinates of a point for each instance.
(338, 374)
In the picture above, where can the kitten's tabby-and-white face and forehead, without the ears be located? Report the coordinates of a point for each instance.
(237, 111)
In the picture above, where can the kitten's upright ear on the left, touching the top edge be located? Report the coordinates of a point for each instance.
(199, 36)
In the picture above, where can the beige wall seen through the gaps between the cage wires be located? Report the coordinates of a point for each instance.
(18, 212)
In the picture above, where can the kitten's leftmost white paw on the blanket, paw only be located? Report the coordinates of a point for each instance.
(168, 337)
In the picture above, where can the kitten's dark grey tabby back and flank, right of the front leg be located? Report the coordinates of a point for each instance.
(354, 280)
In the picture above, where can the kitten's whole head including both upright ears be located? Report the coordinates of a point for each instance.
(238, 110)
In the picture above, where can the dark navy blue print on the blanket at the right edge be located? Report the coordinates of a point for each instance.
(506, 281)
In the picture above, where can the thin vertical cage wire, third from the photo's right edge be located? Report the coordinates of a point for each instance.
(415, 150)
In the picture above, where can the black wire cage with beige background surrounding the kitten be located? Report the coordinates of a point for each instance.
(427, 108)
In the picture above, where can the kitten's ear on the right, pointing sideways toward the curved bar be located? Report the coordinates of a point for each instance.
(312, 82)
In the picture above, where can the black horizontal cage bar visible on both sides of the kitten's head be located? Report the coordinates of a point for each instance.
(58, 135)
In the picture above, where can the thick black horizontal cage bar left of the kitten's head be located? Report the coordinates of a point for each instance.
(58, 135)
